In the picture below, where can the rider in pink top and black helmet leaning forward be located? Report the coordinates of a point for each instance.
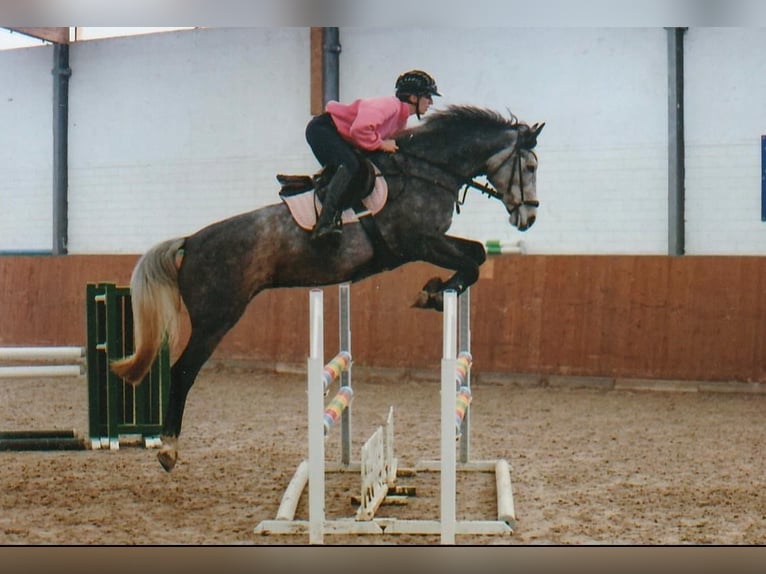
(369, 124)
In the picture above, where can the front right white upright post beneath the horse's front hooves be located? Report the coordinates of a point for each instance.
(448, 448)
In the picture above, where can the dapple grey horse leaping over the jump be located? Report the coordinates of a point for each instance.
(216, 271)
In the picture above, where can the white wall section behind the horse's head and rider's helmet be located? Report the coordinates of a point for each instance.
(602, 180)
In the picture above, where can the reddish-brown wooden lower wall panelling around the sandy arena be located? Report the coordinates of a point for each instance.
(692, 317)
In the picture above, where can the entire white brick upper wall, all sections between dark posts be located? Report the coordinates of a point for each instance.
(173, 131)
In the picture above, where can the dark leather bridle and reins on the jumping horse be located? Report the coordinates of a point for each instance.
(467, 182)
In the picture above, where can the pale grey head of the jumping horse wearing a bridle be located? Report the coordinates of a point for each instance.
(513, 173)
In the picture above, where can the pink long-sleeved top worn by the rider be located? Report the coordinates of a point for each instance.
(366, 122)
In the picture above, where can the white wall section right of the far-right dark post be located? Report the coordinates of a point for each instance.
(726, 115)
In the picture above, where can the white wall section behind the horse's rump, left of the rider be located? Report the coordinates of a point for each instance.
(174, 131)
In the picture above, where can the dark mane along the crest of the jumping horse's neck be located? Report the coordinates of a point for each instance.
(457, 119)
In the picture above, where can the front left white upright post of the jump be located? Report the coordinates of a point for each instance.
(315, 423)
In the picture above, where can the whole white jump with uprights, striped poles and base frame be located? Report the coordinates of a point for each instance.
(378, 466)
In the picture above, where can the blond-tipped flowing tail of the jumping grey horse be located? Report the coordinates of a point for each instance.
(156, 306)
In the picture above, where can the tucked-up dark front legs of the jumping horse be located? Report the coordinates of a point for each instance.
(462, 255)
